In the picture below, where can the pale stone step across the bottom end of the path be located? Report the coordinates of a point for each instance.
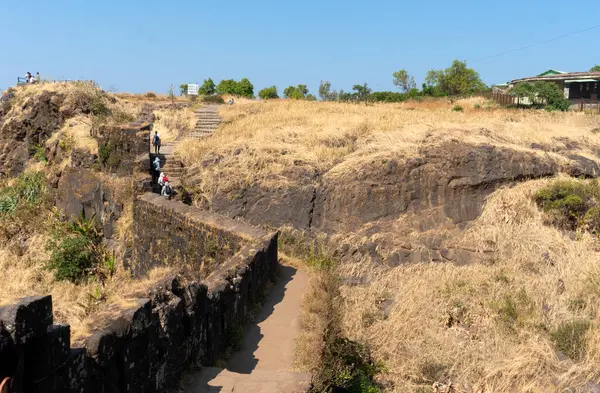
(212, 379)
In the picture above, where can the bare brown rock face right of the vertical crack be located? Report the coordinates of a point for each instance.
(446, 182)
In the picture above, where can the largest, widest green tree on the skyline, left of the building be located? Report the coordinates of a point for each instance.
(455, 80)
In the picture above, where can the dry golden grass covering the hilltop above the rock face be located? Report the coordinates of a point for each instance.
(270, 137)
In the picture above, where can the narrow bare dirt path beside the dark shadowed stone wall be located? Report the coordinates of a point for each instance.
(265, 362)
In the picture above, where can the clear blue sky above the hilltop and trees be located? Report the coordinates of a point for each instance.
(139, 46)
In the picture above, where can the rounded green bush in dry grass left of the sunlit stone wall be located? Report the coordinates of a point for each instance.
(72, 258)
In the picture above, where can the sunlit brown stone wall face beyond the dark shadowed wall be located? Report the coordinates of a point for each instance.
(170, 233)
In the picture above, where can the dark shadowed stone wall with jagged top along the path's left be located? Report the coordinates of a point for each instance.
(145, 348)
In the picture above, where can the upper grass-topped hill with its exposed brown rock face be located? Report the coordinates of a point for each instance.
(391, 182)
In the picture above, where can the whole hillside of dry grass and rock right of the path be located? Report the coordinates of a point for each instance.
(450, 274)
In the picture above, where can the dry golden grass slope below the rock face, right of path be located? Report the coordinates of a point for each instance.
(491, 327)
